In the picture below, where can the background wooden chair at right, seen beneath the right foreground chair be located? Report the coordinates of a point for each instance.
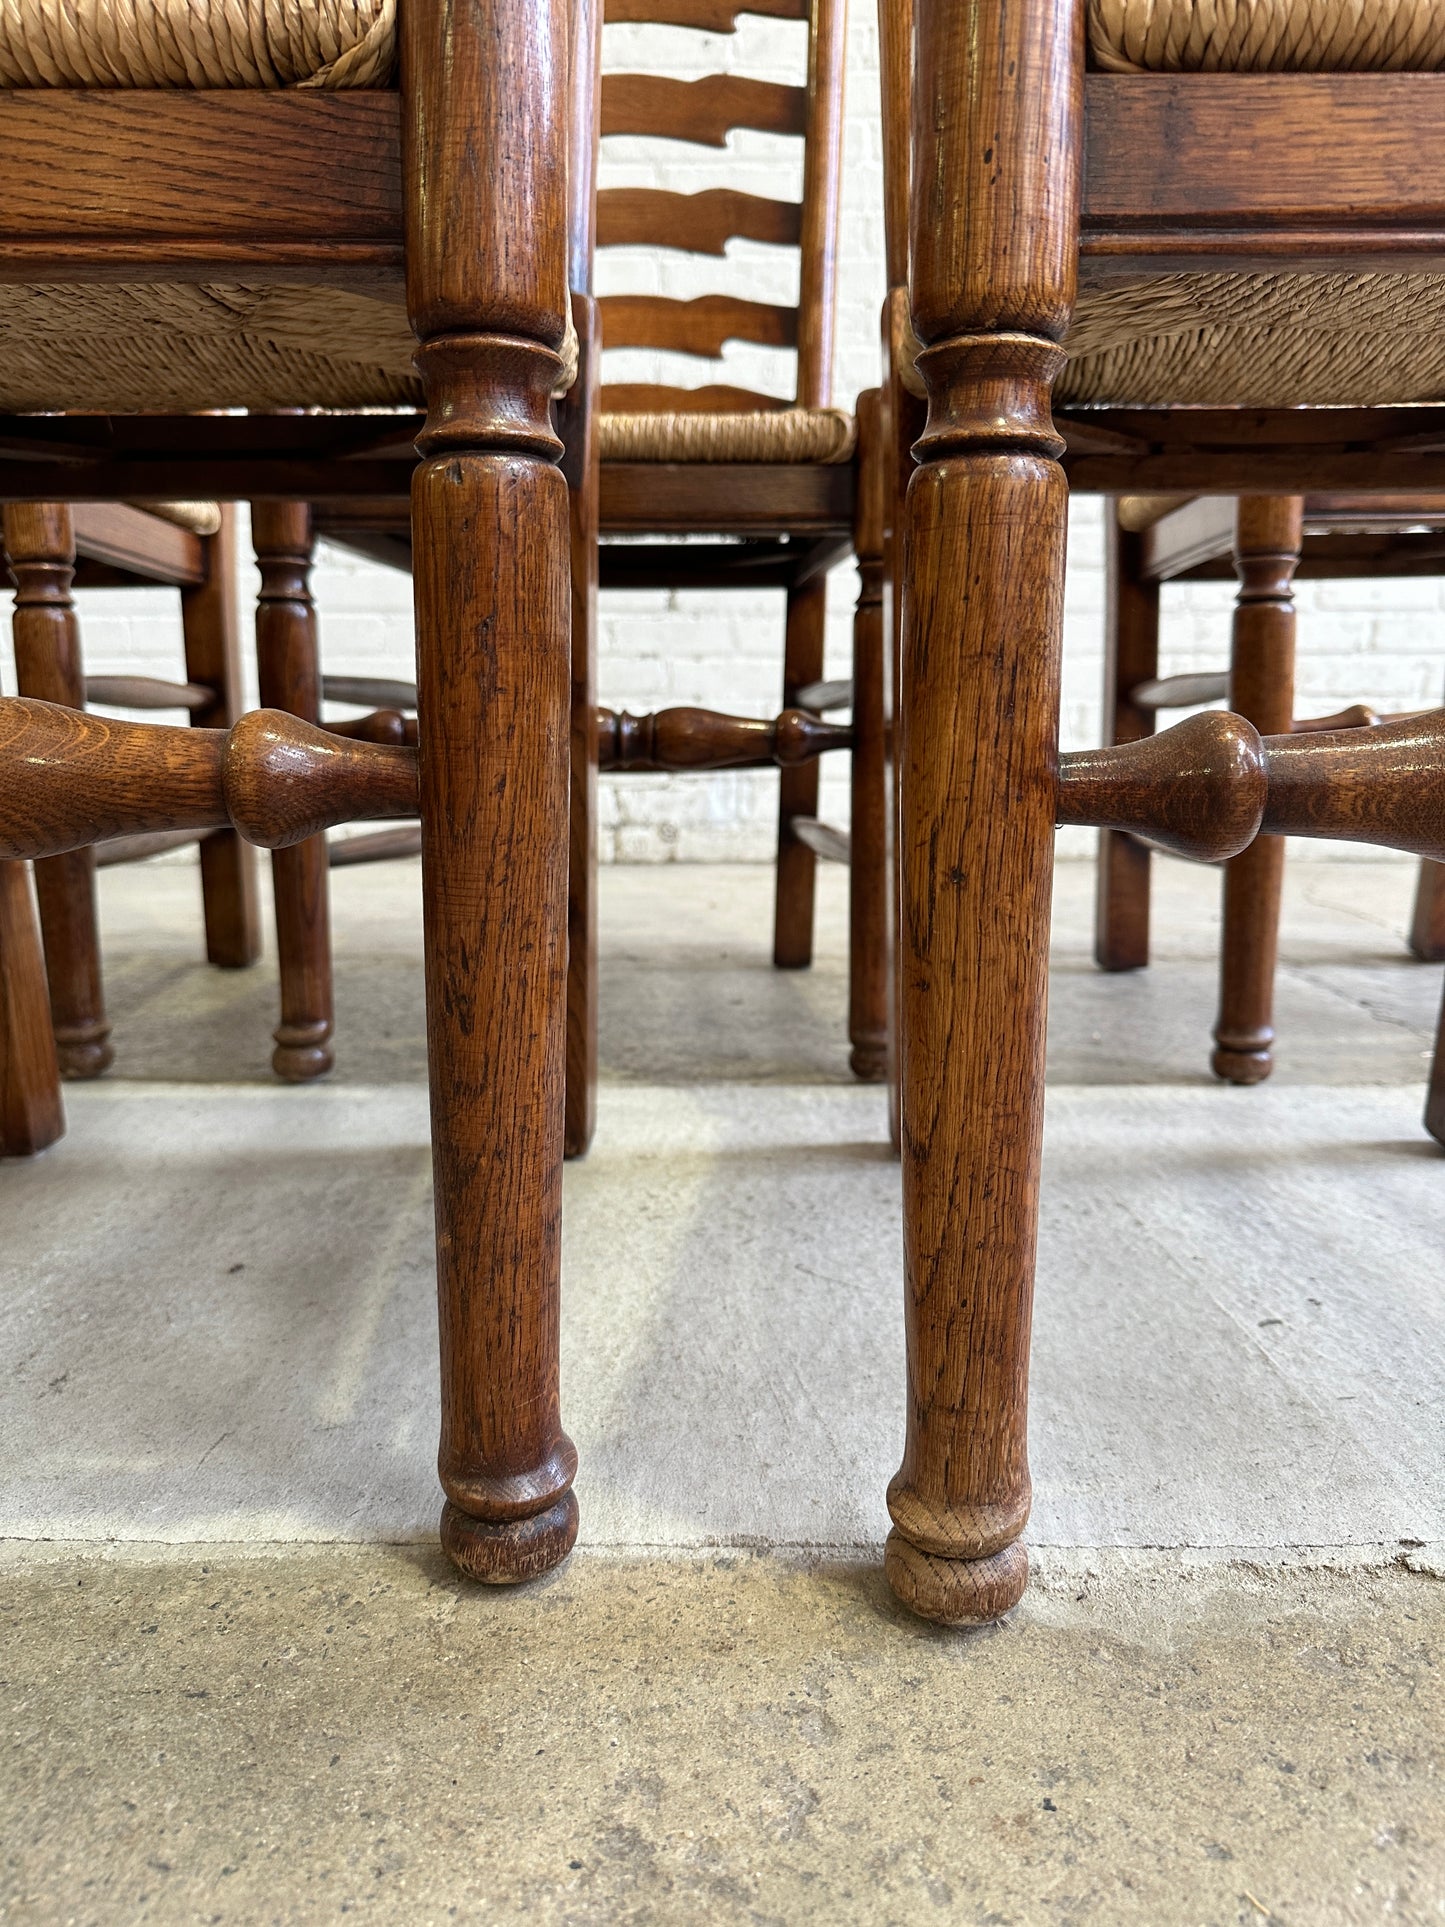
(1269, 544)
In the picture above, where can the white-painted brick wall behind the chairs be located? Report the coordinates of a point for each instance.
(1359, 641)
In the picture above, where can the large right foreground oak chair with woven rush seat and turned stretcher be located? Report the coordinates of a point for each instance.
(1176, 263)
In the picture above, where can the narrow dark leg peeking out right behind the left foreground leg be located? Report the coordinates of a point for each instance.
(583, 481)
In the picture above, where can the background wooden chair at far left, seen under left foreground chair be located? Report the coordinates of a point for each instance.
(190, 546)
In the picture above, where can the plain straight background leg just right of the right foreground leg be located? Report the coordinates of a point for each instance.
(1132, 656)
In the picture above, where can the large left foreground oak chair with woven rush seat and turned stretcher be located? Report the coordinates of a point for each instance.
(273, 250)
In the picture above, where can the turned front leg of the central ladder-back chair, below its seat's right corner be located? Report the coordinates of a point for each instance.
(868, 870)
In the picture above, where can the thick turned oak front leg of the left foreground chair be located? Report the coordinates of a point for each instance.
(486, 294)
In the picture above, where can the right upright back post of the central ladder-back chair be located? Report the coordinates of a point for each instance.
(818, 273)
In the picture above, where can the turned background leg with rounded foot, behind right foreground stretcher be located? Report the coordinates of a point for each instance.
(1261, 689)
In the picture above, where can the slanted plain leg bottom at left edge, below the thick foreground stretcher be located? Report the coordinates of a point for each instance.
(32, 1113)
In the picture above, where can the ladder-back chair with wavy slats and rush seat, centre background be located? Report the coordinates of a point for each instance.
(772, 479)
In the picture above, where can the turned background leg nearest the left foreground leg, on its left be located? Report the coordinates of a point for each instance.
(290, 672)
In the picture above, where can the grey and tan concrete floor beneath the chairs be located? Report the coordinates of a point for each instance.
(240, 1685)
